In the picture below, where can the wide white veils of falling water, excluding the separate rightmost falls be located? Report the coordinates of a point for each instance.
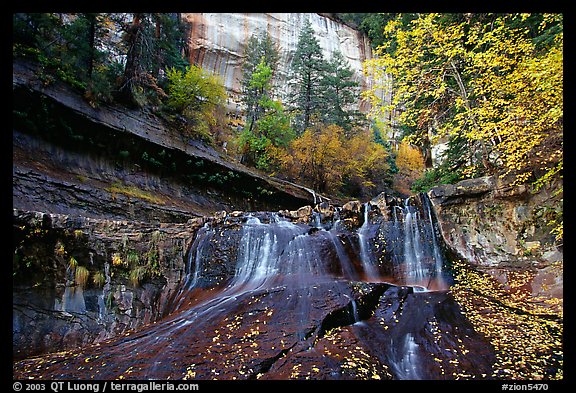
(278, 252)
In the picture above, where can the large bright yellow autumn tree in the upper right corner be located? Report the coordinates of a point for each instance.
(494, 81)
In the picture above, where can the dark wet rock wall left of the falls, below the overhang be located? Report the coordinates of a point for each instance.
(51, 312)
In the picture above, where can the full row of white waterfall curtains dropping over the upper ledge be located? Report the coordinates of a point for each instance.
(279, 252)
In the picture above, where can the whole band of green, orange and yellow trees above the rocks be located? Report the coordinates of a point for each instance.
(487, 86)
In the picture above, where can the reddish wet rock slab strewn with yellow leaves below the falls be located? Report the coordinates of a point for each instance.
(288, 332)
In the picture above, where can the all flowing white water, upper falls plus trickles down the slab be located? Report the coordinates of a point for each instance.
(280, 253)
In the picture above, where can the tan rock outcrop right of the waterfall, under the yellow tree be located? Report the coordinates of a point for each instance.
(501, 230)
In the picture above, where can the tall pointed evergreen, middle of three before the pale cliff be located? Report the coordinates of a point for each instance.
(308, 69)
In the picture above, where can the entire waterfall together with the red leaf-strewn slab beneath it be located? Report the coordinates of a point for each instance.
(266, 296)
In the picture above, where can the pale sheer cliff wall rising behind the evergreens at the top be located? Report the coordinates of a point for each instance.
(217, 42)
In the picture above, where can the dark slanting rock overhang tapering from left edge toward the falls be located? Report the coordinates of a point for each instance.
(70, 158)
